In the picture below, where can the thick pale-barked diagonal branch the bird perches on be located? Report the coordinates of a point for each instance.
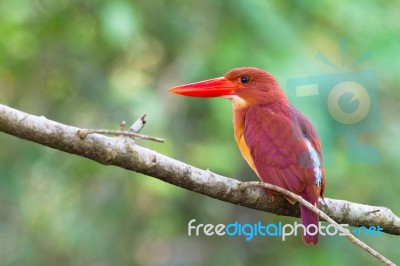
(123, 152)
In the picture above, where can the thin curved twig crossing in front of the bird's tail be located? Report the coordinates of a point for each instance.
(311, 207)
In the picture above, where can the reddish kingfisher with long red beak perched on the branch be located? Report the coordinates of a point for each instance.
(279, 143)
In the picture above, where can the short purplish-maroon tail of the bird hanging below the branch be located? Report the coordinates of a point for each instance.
(308, 218)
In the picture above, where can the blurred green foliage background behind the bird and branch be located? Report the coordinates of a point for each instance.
(95, 63)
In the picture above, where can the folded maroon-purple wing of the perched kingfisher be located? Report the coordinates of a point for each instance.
(278, 146)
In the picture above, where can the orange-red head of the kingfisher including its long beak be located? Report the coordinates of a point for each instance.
(245, 85)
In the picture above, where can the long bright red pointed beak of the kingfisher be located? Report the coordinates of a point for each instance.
(208, 88)
